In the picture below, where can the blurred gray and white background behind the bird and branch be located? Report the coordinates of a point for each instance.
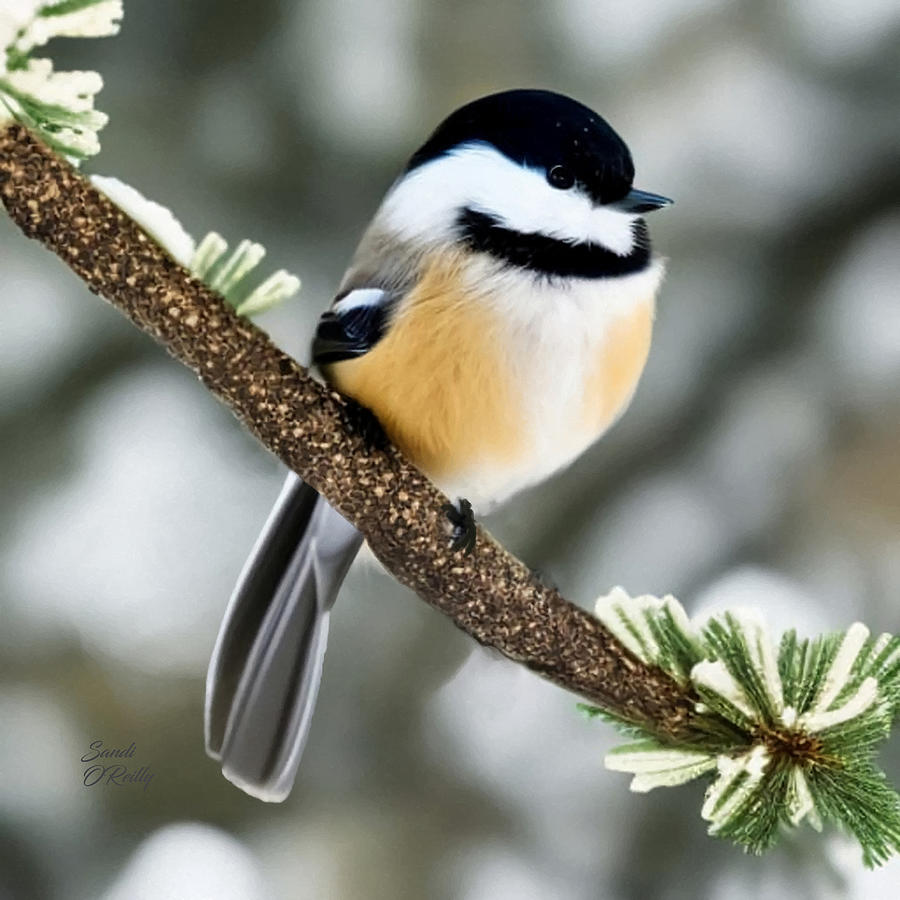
(759, 464)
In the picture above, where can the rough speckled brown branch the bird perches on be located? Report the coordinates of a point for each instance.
(489, 594)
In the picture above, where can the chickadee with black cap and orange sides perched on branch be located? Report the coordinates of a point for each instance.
(495, 318)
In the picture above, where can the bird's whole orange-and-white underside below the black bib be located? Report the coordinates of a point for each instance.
(489, 402)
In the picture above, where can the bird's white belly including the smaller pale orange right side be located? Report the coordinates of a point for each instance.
(575, 355)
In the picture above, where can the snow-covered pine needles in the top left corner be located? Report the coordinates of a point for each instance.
(57, 106)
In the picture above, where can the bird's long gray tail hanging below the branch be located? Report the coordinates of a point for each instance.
(264, 673)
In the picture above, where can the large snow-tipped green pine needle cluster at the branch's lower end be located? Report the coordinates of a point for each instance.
(789, 733)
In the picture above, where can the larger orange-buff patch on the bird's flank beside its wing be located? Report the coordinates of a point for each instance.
(437, 381)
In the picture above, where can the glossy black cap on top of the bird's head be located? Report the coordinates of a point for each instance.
(540, 129)
